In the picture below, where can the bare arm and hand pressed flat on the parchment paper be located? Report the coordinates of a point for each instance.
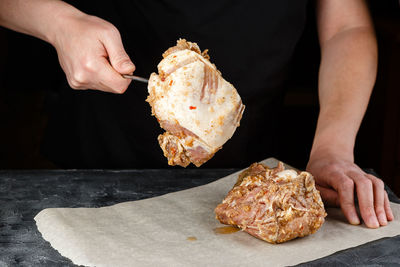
(346, 78)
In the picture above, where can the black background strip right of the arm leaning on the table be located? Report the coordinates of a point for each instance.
(380, 132)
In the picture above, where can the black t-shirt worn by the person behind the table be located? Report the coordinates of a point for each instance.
(251, 43)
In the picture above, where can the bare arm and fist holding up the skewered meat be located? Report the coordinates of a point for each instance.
(89, 49)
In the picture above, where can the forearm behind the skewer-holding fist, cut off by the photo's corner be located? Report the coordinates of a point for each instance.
(38, 18)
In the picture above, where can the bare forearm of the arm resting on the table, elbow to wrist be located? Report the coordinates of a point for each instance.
(347, 76)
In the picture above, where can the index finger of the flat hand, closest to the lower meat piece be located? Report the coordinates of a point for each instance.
(345, 188)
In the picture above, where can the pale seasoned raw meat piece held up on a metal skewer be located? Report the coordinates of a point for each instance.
(196, 107)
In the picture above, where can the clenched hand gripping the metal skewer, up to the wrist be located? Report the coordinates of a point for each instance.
(91, 54)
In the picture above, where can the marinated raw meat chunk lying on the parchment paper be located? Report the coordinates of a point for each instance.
(275, 205)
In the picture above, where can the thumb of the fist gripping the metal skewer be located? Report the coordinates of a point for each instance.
(119, 59)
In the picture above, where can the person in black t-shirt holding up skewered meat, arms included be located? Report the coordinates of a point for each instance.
(250, 42)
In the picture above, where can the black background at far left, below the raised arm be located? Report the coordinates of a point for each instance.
(29, 68)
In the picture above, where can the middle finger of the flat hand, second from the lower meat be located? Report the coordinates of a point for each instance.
(365, 195)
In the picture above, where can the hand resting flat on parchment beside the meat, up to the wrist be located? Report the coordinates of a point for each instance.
(339, 179)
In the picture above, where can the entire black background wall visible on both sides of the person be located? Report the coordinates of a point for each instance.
(29, 70)
